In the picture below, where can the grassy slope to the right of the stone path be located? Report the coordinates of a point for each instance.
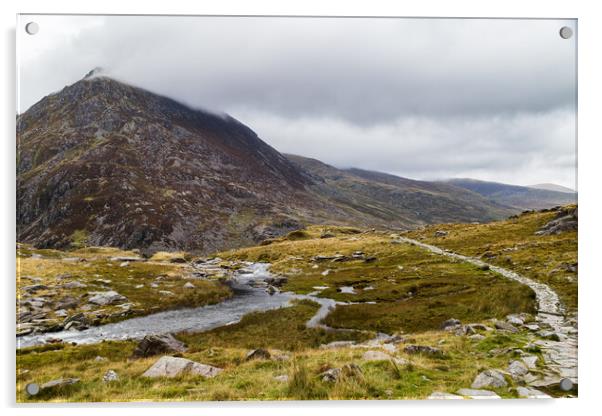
(513, 244)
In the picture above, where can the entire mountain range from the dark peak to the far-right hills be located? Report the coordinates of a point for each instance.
(105, 163)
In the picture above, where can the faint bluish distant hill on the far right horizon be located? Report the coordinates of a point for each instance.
(520, 197)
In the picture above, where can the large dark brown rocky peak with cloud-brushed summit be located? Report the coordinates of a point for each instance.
(120, 166)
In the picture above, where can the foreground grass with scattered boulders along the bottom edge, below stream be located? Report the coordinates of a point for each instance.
(255, 380)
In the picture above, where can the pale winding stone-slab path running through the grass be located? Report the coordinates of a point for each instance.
(560, 356)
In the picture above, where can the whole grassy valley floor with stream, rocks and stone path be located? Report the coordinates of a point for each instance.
(341, 313)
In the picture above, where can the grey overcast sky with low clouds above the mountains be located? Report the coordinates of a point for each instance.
(420, 98)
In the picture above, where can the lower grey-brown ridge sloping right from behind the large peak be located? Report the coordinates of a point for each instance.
(391, 200)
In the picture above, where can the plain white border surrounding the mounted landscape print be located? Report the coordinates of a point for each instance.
(590, 73)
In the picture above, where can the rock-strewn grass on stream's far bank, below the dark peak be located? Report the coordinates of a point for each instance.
(95, 268)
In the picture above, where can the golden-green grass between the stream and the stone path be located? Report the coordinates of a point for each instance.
(412, 289)
